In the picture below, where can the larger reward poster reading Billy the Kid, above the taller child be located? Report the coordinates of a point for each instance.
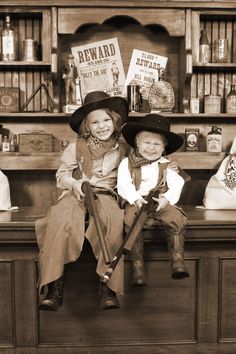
(100, 67)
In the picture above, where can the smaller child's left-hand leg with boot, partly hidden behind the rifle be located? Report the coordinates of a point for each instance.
(139, 273)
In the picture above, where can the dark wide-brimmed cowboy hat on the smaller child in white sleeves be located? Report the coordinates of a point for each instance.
(154, 123)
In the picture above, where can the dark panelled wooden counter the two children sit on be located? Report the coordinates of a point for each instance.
(196, 313)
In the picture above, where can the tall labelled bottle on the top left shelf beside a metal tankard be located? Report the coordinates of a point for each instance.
(8, 41)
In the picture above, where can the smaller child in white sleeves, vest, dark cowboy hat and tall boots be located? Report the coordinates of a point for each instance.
(151, 139)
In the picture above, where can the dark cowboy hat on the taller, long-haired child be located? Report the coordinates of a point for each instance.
(97, 100)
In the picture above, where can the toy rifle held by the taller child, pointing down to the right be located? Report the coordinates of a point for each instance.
(92, 209)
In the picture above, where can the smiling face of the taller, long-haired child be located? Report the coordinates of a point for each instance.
(101, 125)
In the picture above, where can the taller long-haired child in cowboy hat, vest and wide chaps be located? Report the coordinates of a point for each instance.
(94, 157)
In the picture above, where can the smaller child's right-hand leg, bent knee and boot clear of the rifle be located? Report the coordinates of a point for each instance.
(174, 222)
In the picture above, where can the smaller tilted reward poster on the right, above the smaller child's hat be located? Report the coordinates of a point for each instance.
(144, 67)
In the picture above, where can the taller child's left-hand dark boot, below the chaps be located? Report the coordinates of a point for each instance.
(54, 297)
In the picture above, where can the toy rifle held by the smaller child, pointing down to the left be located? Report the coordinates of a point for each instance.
(137, 225)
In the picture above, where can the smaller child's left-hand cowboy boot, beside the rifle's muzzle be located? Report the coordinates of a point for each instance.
(139, 273)
